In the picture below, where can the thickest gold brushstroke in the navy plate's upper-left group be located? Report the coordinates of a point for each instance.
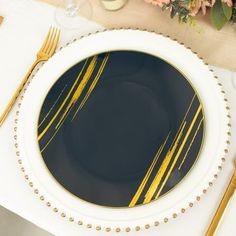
(79, 89)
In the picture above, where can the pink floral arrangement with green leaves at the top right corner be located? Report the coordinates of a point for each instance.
(221, 11)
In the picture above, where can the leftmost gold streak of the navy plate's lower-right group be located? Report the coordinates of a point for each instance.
(148, 174)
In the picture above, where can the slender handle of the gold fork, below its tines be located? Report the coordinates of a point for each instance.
(17, 92)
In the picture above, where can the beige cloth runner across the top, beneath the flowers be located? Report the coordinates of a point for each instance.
(215, 47)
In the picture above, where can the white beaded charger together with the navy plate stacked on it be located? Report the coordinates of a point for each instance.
(121, 130)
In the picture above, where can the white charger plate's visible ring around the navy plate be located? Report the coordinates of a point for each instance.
(188, 191)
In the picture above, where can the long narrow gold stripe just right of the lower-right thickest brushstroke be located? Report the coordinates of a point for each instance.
(180, 150)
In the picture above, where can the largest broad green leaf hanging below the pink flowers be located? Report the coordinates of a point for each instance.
(218, 17)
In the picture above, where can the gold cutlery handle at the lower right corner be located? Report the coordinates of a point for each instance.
(223, 204)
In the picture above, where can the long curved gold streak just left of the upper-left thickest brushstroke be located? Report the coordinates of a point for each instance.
(63, 103)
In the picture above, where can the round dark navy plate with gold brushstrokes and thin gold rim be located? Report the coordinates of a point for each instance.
(120, 129)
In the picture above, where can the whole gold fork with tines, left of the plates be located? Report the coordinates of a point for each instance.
(47, 50)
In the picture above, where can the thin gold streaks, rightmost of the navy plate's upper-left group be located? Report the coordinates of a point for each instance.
(92, 86)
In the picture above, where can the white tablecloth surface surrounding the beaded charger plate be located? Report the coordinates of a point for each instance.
(21, 34)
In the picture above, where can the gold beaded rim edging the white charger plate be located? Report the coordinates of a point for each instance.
(119, 229)
